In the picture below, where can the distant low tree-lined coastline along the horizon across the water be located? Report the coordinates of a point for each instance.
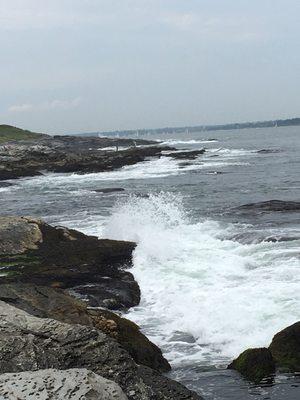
(197, 128)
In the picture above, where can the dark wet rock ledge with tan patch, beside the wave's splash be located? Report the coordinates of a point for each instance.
(32, 251)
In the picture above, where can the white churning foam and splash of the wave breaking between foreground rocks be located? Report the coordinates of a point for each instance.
(198, 283)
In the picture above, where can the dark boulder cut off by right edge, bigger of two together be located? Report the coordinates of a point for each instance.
(285, 348)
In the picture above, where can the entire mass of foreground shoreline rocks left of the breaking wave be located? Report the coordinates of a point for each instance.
(56, 288)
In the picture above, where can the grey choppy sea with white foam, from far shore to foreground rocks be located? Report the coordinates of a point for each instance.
(212, 282)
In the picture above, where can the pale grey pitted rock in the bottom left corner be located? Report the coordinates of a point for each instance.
(73, 384)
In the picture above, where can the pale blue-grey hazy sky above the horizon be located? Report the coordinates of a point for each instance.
(95, 65)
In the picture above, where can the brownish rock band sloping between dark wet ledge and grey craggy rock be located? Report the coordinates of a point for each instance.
(47, 302)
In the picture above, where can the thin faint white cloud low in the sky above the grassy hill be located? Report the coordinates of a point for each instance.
(46, 106)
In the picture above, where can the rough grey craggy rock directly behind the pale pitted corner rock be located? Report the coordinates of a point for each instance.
(29, 343)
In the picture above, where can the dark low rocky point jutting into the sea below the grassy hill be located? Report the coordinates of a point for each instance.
(70, 154)
